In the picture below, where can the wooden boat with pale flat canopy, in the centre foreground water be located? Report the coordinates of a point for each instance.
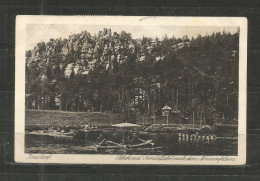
(126, 144)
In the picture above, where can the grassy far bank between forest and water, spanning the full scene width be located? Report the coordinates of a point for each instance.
(44, 119)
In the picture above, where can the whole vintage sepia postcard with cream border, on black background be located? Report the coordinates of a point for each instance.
(130, 90)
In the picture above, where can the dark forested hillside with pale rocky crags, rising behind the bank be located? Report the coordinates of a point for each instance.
(197, 77)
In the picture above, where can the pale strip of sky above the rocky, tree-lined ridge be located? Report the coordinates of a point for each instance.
(36, 33)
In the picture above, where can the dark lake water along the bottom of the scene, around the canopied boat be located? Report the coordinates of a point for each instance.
(164, 144)
